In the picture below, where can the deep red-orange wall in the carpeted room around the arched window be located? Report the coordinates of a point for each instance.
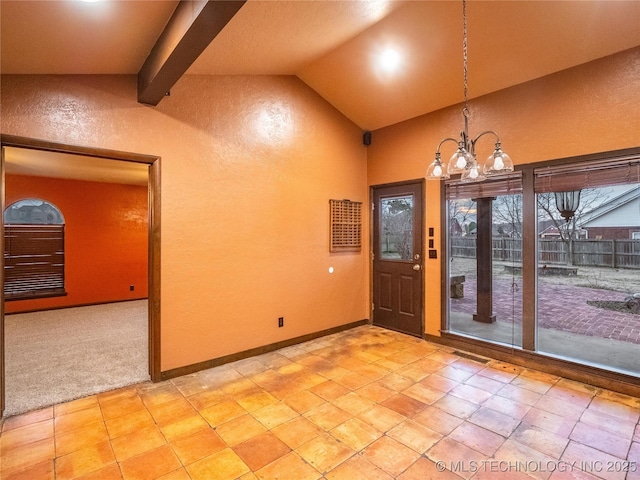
(106, 238)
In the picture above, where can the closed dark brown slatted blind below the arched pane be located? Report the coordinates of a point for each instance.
(33, 261)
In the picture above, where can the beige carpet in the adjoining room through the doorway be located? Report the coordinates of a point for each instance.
(60, 355)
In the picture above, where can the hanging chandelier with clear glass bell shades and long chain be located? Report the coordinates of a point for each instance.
(464, 160)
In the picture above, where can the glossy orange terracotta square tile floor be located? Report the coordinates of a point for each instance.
(366, 404)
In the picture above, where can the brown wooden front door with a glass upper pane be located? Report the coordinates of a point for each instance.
(397, 257)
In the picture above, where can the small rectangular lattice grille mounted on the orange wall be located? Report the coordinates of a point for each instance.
(346, 226)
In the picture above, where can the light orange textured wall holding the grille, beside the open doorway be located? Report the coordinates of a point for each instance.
(248, 165)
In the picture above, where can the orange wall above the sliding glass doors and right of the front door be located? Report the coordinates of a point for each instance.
(588, 109)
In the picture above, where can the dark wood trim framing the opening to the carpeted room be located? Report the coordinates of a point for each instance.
(154, 236)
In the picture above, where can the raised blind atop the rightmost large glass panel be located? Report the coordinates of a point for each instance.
(576, 176)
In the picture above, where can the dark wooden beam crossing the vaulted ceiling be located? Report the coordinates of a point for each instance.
(191, 28)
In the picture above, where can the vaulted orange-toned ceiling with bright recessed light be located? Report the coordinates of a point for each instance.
(334, 45)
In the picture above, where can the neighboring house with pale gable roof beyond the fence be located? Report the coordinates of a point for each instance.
(616, 219)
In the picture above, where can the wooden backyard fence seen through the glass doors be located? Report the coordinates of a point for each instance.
(586, 253)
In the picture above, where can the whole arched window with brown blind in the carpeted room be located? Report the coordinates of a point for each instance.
(33, 250)
